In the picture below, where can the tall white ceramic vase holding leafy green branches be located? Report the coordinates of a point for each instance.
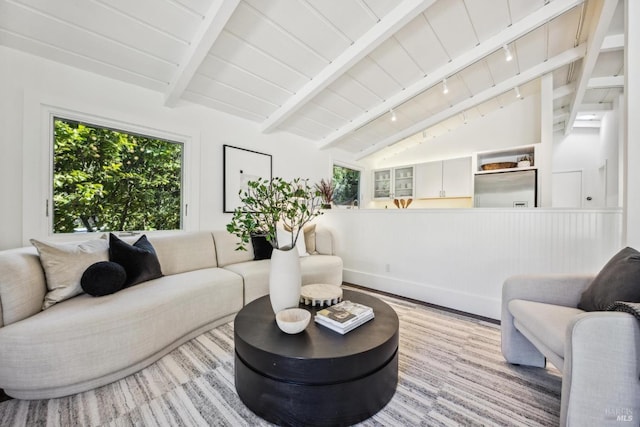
(284, 279)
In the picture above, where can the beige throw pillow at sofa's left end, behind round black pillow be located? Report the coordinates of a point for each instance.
(64, 265)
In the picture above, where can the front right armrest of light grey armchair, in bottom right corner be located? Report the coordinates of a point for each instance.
(601, 370)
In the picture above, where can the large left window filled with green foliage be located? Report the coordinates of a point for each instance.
(112, 180)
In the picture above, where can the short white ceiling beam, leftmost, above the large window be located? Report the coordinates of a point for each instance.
(210, 28)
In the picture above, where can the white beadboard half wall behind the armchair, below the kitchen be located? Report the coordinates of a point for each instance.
(459, 258)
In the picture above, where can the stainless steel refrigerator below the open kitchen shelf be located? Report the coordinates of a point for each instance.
(513, 189)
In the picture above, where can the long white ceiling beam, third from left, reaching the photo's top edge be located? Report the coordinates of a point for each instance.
(515, 31)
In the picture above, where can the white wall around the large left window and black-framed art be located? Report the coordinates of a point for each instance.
(27, 82)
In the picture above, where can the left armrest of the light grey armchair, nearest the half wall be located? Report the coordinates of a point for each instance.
(550, 289)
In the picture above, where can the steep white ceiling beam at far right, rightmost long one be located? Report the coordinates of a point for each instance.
(603, 15)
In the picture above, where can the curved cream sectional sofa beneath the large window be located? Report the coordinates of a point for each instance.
(84, 342)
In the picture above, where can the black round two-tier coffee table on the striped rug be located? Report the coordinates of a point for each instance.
(317, 377)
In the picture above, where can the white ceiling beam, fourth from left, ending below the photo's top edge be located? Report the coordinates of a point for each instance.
(525, 76)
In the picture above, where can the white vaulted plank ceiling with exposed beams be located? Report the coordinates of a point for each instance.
(358, 75)
